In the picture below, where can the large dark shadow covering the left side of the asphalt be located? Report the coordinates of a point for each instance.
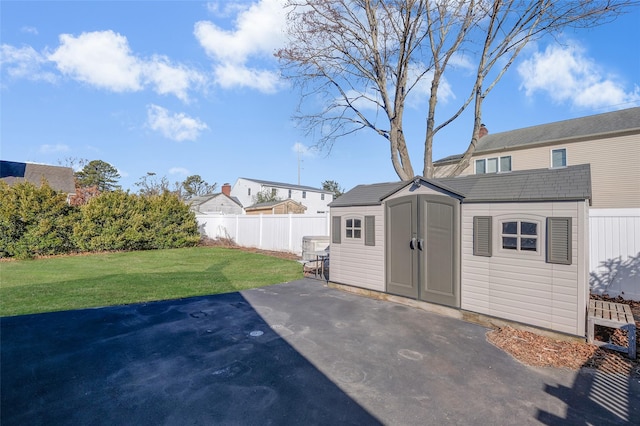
(204, 360)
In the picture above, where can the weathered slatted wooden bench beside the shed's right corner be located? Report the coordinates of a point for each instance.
(614, 315)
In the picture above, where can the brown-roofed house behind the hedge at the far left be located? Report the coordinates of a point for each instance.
(59, 178)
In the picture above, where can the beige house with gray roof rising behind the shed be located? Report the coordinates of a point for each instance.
(610, 142)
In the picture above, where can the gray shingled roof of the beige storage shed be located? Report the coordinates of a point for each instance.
(562, 184)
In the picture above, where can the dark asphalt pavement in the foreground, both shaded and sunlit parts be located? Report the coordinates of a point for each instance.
(294, 353)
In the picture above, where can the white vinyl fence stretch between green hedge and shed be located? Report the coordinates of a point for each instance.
(278, 232)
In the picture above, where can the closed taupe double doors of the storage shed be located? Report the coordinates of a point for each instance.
(422, 250)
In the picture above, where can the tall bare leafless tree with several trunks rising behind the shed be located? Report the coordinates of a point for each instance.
(365, 57)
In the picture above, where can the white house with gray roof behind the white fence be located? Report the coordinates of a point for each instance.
(314, 199)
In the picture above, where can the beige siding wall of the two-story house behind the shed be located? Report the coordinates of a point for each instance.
(615, 169)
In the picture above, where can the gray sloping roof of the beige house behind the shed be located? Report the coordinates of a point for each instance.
(593, 126)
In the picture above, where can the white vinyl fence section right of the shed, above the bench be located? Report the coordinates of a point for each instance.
(614, 250)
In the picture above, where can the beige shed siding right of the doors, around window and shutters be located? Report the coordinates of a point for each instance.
(522, 287)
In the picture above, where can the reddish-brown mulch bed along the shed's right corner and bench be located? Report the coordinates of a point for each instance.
(540, 351)
